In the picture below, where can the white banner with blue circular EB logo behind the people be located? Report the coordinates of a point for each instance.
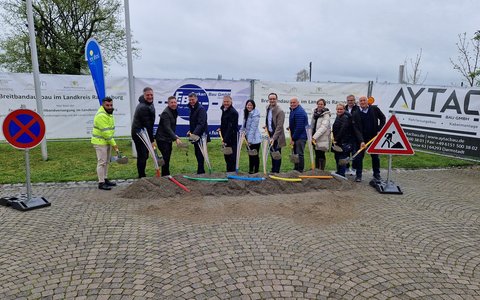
(209, 92)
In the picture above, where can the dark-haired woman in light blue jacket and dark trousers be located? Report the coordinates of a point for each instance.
(251, 119)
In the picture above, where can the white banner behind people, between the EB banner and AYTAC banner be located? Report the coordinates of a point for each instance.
(307, 93)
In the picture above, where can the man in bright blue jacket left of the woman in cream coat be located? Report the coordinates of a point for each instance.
(297, 122)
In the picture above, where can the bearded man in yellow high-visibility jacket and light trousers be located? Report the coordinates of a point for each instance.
(103, 142)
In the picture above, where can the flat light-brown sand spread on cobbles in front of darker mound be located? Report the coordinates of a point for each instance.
(321, 207)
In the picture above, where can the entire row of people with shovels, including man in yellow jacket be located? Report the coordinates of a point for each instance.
(354, 126)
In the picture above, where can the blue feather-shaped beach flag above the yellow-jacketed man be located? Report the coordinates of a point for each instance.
(93, 56)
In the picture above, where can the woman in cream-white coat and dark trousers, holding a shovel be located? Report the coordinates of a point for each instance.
(321, 132)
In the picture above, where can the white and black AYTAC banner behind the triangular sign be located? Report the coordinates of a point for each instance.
(445, 120)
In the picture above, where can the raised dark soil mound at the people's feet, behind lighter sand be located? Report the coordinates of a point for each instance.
(155, 188)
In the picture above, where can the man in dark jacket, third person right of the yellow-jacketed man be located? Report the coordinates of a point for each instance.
(198, 126)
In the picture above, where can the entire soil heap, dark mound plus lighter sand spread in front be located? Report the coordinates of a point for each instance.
(317, 201)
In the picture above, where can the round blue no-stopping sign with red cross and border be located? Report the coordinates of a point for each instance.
(23, 128)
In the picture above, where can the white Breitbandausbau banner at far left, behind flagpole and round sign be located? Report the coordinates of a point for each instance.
(69, 102)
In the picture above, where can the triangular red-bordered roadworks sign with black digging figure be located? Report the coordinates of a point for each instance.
(391, 140)
